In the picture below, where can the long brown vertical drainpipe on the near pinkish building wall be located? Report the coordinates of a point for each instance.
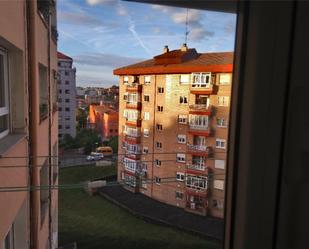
(33, 123)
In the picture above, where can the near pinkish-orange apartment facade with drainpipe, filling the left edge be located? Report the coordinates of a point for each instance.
(28, 124)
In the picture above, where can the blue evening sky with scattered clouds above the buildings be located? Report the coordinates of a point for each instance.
(101, 35)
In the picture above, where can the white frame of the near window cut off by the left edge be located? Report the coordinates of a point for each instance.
(5, 111)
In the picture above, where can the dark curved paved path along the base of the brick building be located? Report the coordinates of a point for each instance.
(154, 211)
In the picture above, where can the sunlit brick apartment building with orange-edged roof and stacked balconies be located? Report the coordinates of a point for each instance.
(173, 128)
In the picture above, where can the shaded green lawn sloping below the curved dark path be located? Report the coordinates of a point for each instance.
(95, 223)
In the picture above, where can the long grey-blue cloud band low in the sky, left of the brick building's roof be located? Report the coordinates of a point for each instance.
(100, 59)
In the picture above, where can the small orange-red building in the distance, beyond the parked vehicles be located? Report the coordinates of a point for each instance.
(104, 118)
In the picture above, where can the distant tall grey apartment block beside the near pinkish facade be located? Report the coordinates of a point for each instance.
(66, 96)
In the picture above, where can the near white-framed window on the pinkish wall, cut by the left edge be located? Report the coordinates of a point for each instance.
(4, 95)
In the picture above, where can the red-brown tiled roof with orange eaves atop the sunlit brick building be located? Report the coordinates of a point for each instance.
(206, 62)
